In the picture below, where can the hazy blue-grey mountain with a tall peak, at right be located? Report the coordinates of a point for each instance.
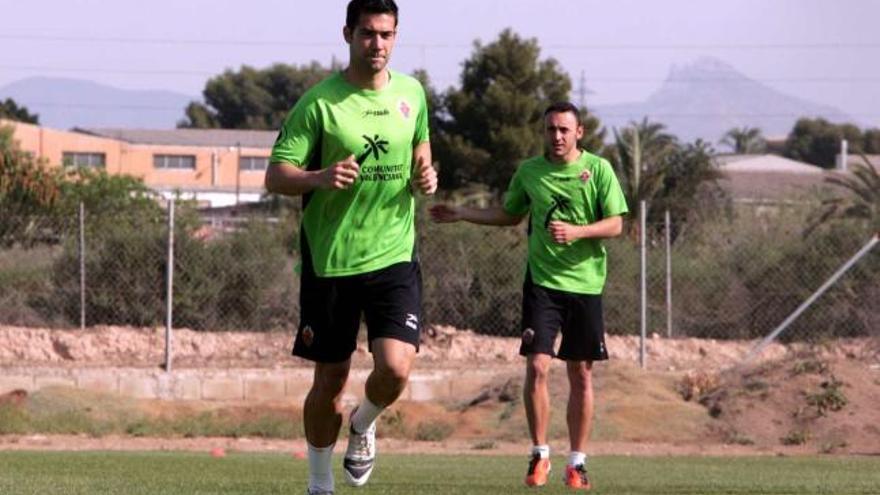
(707, 98)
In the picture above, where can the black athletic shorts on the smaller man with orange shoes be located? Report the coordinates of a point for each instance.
(579, 316)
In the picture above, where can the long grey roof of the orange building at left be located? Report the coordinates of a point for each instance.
(214, 138)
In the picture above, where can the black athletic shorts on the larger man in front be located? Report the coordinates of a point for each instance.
(390, 300)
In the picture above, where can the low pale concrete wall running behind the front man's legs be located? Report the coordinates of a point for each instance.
(234, 384)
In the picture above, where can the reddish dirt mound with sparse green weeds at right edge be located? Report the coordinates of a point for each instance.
(829, 403)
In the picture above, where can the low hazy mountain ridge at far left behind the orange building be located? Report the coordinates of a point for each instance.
(66, 103)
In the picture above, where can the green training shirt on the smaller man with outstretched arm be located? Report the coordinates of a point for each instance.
(580, 193)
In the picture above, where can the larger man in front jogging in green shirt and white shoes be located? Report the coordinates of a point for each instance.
(355, 147)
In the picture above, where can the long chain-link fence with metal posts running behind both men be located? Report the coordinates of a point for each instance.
(730, 279)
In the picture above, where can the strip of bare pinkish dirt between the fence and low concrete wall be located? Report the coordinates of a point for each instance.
(145, 347)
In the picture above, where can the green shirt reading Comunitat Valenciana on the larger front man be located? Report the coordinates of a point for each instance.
(370, 225)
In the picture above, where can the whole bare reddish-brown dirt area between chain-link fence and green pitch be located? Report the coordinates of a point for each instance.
(694, 398)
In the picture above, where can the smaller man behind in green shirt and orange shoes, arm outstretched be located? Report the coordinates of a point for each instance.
(573, 200)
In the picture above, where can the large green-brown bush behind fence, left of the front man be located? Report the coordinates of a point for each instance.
(238, 280)
